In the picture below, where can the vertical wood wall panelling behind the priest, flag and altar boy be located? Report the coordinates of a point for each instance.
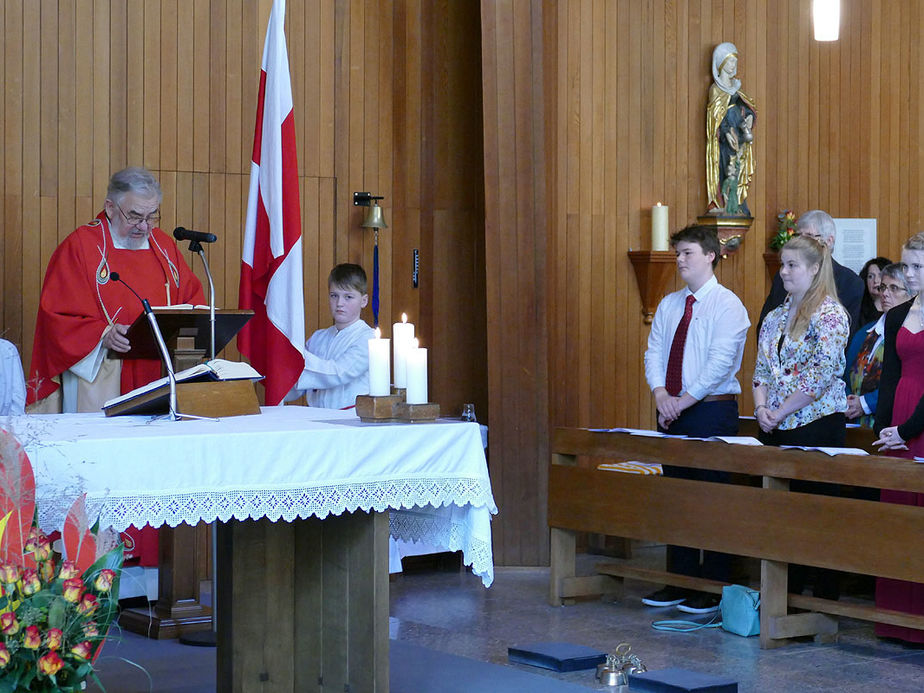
(96, 85)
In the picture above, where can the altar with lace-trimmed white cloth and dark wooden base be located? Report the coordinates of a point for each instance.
(302, 496)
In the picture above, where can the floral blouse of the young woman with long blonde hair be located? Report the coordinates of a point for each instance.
(812, 364)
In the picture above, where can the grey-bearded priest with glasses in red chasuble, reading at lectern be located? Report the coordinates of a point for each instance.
(84, 314)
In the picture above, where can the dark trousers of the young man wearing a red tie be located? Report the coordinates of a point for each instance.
(702, 420)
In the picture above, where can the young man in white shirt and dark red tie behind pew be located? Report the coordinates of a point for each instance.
(693, 356)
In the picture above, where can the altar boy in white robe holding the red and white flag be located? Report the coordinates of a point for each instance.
(337, 358)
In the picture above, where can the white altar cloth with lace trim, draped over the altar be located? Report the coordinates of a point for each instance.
(289, 462)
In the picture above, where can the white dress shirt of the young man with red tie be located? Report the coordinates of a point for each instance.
(715, 341)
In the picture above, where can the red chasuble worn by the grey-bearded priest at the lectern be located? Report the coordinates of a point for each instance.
(79, 300)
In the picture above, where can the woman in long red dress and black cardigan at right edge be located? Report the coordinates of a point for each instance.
(900, 421)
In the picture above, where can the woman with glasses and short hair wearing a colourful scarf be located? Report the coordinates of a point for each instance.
(864, 354)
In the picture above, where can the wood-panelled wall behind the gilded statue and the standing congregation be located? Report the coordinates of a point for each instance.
(839, 128)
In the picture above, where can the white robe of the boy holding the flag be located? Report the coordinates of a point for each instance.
(336, 366)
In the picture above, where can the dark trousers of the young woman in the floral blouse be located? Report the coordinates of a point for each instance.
(828, 431)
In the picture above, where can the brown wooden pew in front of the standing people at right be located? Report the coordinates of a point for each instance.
(769, 522)
